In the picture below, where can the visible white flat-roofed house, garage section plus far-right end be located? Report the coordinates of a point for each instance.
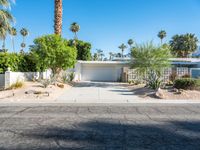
(112, 71)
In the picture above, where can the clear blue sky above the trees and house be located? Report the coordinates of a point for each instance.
(108, 23)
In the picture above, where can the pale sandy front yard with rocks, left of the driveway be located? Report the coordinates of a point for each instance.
(33, 92)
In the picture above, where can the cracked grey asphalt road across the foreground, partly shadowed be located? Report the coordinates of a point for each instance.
(138, 127)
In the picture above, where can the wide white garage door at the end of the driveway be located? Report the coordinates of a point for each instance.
(100, 73)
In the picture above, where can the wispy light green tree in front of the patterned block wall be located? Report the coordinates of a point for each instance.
(149, 61)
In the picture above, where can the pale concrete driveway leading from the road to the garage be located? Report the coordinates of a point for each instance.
(99, 92)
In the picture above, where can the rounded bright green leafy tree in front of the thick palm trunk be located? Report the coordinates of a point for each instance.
(52, 51)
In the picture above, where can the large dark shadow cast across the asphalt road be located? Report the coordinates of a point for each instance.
(99, 135)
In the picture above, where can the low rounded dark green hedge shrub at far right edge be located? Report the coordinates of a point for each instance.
(186, 84)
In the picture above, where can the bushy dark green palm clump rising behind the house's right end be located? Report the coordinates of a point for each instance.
(183, 45)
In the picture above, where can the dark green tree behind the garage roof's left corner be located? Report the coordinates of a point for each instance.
(83, 49)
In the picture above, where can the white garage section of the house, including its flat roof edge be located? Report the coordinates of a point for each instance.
(110, 71)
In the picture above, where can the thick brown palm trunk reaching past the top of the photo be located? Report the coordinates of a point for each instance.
(58, 12)
